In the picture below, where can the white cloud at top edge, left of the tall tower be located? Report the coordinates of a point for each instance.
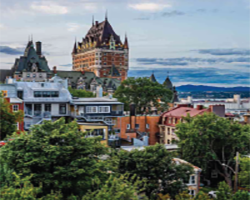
(49, 8)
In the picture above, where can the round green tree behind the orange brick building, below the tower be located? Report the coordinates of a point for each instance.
(143, 93)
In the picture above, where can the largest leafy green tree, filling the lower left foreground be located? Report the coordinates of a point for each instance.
(59, 156)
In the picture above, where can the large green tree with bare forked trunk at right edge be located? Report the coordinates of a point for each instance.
(208, 138)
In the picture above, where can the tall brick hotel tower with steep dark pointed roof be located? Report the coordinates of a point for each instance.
(102, 50)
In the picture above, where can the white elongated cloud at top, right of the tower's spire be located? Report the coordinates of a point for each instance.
(149, 6)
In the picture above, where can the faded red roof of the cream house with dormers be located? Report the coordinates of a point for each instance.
(183, 111)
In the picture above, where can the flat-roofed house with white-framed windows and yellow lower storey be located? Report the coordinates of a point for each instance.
(98, 116)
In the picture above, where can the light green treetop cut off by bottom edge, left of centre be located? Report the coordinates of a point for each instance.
(118, 189)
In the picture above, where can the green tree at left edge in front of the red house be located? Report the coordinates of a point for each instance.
(8, 119)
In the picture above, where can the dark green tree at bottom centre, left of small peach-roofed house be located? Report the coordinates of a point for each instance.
(155, 164)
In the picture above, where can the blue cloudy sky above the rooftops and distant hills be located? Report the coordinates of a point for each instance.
(197, 42)
